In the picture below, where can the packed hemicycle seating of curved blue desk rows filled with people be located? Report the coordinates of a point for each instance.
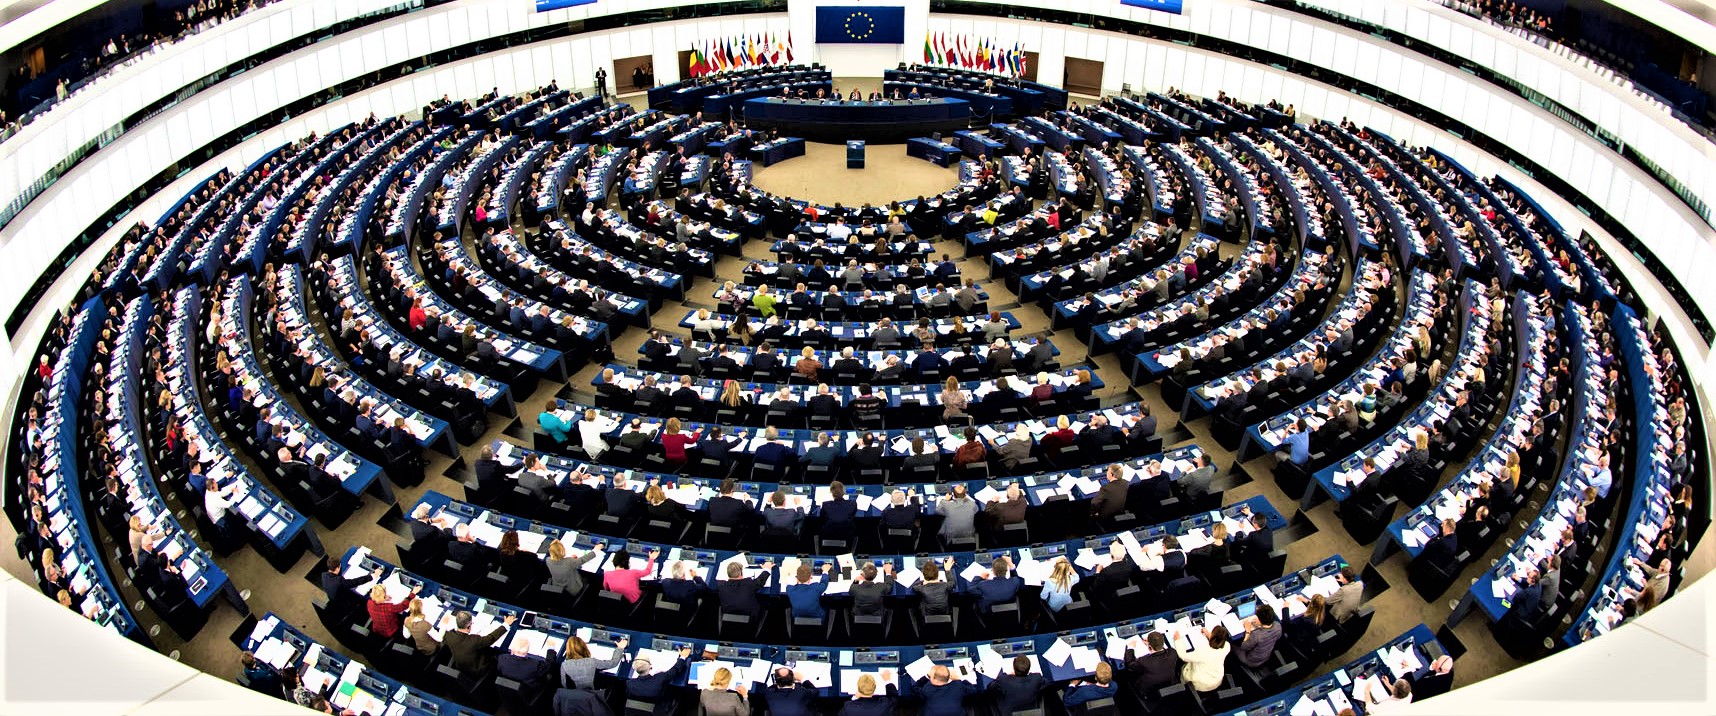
(293, 337)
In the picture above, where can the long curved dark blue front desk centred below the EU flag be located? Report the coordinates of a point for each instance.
(833, 121)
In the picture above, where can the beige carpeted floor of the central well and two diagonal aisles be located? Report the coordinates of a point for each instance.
(821, 176)
